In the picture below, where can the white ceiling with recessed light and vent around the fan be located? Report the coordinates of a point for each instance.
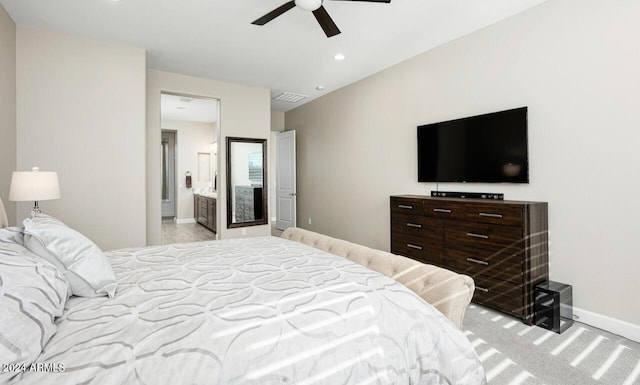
(215, 38)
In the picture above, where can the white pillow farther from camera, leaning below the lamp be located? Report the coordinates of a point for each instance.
(80, 260)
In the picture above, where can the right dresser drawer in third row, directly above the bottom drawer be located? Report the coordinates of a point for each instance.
(503, 267)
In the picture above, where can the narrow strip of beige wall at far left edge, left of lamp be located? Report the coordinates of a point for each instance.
(7, 109)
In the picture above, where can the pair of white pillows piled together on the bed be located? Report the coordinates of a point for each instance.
(41, 266)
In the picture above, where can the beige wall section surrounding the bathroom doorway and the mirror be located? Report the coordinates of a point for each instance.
(244, 111)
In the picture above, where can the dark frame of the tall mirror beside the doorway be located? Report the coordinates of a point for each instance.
(265, 216)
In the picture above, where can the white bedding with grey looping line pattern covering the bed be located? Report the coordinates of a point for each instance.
(253, 311)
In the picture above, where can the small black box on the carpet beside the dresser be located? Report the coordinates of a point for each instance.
(553, 306)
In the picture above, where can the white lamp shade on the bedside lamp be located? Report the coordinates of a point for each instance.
(34, 185)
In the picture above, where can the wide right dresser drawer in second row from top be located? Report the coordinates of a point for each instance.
(496, 238)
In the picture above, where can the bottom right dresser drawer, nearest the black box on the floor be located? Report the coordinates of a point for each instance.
(502, 295)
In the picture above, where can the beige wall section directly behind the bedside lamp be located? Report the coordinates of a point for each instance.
(81, 112)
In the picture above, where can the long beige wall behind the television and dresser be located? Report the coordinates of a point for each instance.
(575, 64)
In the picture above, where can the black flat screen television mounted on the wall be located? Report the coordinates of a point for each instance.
(489, 148)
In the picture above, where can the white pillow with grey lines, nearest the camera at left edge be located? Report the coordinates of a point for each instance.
(32, 294)
